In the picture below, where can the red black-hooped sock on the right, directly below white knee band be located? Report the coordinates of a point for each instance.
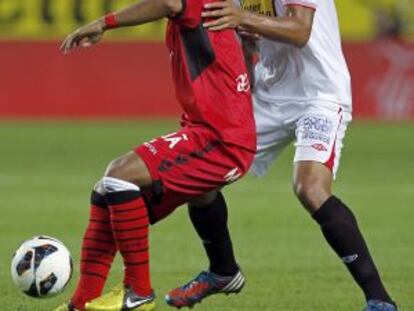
(129, 218)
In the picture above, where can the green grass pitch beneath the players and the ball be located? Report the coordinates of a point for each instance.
(47, 170)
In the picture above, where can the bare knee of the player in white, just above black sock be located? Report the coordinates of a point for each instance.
(311, 194)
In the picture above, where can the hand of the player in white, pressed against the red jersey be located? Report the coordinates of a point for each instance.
(224, 14)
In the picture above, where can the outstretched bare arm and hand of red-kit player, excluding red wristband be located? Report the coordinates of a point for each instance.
(140, 13)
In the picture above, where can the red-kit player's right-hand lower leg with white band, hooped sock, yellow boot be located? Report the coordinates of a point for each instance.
(129, 223)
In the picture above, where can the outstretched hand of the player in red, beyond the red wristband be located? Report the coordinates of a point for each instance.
(84, 37)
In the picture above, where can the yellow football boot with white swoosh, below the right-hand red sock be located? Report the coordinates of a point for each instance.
(122, 299)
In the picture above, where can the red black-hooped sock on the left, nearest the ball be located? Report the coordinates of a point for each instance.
(98, 252)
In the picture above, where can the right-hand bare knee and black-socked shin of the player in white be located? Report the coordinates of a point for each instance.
(340, 228)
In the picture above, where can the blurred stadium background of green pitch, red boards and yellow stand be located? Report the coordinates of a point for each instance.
(56, 138)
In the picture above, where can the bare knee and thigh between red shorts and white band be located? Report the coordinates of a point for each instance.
(129, 167)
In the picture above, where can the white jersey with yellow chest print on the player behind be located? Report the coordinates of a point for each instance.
(316, 72)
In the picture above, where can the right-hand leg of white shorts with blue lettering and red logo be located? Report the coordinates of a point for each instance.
(319, 135)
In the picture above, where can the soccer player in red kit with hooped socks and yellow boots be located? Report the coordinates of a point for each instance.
(214, 147)
